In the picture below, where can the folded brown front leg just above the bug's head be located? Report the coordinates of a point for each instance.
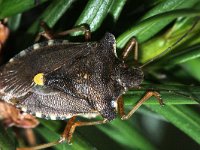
(131, 45)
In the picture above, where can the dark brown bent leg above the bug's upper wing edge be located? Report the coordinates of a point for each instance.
(49, 34)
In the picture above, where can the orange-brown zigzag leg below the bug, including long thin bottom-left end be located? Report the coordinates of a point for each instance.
(67, 134)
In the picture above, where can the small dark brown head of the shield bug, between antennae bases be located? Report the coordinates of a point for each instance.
(130, 77)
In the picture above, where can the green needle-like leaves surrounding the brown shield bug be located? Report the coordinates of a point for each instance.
(161, 24)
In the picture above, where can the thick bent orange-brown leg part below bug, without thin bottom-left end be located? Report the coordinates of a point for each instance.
(70, 128)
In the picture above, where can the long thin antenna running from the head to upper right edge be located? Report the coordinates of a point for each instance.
(169, 48)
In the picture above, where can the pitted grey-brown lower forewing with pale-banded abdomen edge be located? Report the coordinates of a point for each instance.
(54, 105)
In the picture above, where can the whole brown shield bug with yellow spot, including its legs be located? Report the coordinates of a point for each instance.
(61, 80)
